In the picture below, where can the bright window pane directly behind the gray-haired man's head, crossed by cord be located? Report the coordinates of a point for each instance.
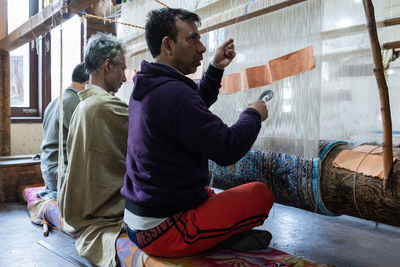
(71, 53)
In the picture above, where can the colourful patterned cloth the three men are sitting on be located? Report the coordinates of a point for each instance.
(130, 255)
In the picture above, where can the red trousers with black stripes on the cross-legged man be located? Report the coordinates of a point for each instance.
(219, 217)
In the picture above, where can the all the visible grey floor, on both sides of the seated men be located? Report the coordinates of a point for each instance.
(343, 241)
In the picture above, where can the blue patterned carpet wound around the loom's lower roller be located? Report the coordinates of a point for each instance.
(294, 180)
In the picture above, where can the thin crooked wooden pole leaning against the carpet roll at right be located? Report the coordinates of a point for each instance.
(383, 92)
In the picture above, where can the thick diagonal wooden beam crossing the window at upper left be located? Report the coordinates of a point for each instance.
(52, 15)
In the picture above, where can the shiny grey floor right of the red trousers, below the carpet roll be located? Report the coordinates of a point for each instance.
(343, 241)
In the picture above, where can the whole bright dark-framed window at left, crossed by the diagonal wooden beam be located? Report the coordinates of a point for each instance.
(35, 66)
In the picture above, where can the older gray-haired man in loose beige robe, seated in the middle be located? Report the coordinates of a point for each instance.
(90, 202)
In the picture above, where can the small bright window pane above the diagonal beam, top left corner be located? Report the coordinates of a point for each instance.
(18, 13)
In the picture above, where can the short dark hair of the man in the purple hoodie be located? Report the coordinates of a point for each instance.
(161, 23)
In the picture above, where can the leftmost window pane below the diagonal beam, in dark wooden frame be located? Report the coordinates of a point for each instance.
(19, 78)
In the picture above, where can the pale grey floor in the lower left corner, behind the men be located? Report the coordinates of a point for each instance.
(19, 242)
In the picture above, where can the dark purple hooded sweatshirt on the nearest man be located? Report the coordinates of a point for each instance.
(172, 134)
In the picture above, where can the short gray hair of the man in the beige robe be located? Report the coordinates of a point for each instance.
(100, 47)
